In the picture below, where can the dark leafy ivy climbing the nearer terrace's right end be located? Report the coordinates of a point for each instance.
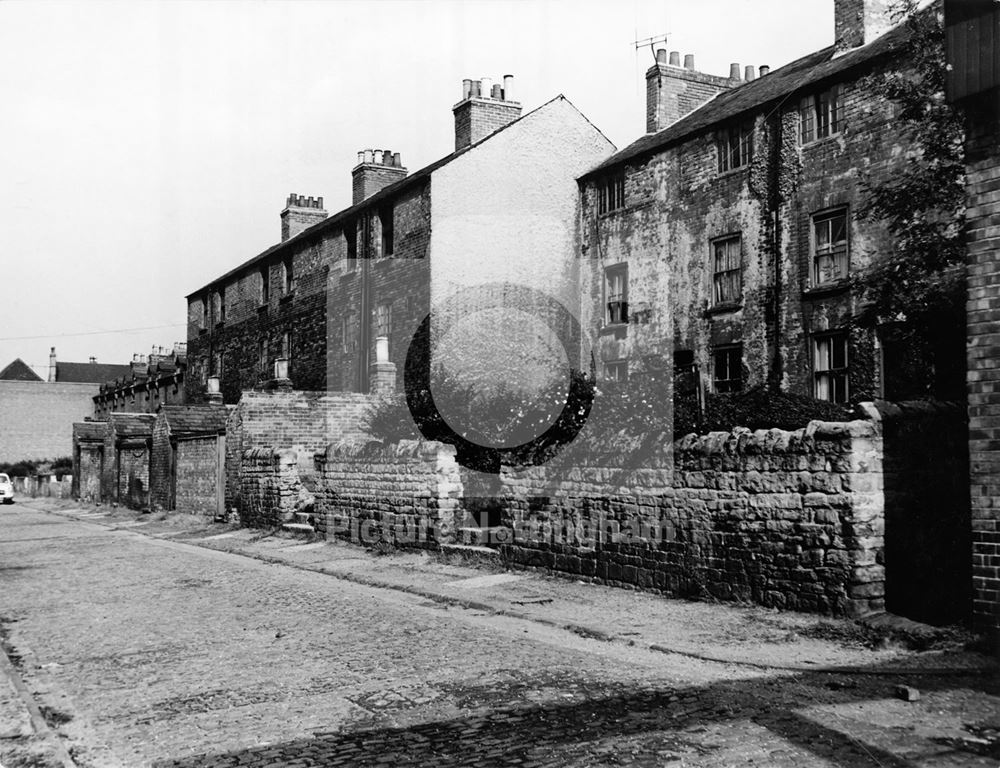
(920, 283)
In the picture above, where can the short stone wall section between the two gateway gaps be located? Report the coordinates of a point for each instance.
(409, 491)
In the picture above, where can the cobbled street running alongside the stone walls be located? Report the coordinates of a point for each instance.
(142, 646)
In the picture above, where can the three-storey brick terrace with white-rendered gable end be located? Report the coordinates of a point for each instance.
(308, 310)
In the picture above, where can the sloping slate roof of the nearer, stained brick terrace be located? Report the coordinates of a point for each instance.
(808, 73)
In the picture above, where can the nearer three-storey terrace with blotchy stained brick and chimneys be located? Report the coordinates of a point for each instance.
(726, 234)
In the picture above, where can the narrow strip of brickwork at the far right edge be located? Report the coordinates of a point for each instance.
(983, 383)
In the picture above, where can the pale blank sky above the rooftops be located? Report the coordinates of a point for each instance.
(148, 147)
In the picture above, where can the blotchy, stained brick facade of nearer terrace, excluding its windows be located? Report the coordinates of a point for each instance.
(678, 203)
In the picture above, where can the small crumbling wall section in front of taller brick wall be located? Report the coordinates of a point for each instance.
(270, 488)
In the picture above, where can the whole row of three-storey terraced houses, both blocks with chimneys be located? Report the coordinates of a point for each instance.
(724, 239)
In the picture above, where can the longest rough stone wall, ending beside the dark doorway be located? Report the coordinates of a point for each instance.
(785, 519)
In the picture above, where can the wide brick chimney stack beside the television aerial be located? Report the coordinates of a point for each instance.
(673, 91)
